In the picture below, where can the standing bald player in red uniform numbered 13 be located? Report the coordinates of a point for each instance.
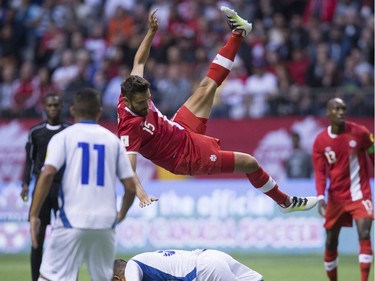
(341, 152)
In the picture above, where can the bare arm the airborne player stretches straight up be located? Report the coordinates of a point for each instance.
(144, 49)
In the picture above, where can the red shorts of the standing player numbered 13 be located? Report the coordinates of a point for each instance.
(340, 214)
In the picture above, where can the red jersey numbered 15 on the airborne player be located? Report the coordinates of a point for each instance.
(155, 136)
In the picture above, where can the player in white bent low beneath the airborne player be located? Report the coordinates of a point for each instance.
(203, 265)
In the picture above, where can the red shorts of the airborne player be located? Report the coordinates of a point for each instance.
(202, 154)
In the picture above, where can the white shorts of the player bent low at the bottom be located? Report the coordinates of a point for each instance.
(214, 265)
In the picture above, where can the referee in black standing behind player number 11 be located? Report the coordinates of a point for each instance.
(36, 147)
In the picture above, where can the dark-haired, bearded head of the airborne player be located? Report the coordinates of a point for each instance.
(136, 93)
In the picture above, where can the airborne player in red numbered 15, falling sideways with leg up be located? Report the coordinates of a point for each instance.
(180, 145)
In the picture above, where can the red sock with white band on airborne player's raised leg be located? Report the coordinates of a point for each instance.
(222, 64)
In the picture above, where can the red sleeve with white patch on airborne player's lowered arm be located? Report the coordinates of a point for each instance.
(129, 132)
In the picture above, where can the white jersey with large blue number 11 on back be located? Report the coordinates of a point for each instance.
(92, 158)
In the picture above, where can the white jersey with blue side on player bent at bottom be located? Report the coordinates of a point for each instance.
(163, 265)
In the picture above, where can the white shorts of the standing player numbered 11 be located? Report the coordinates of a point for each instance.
(68, 248)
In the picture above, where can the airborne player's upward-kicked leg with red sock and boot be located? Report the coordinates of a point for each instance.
(200, 103)
